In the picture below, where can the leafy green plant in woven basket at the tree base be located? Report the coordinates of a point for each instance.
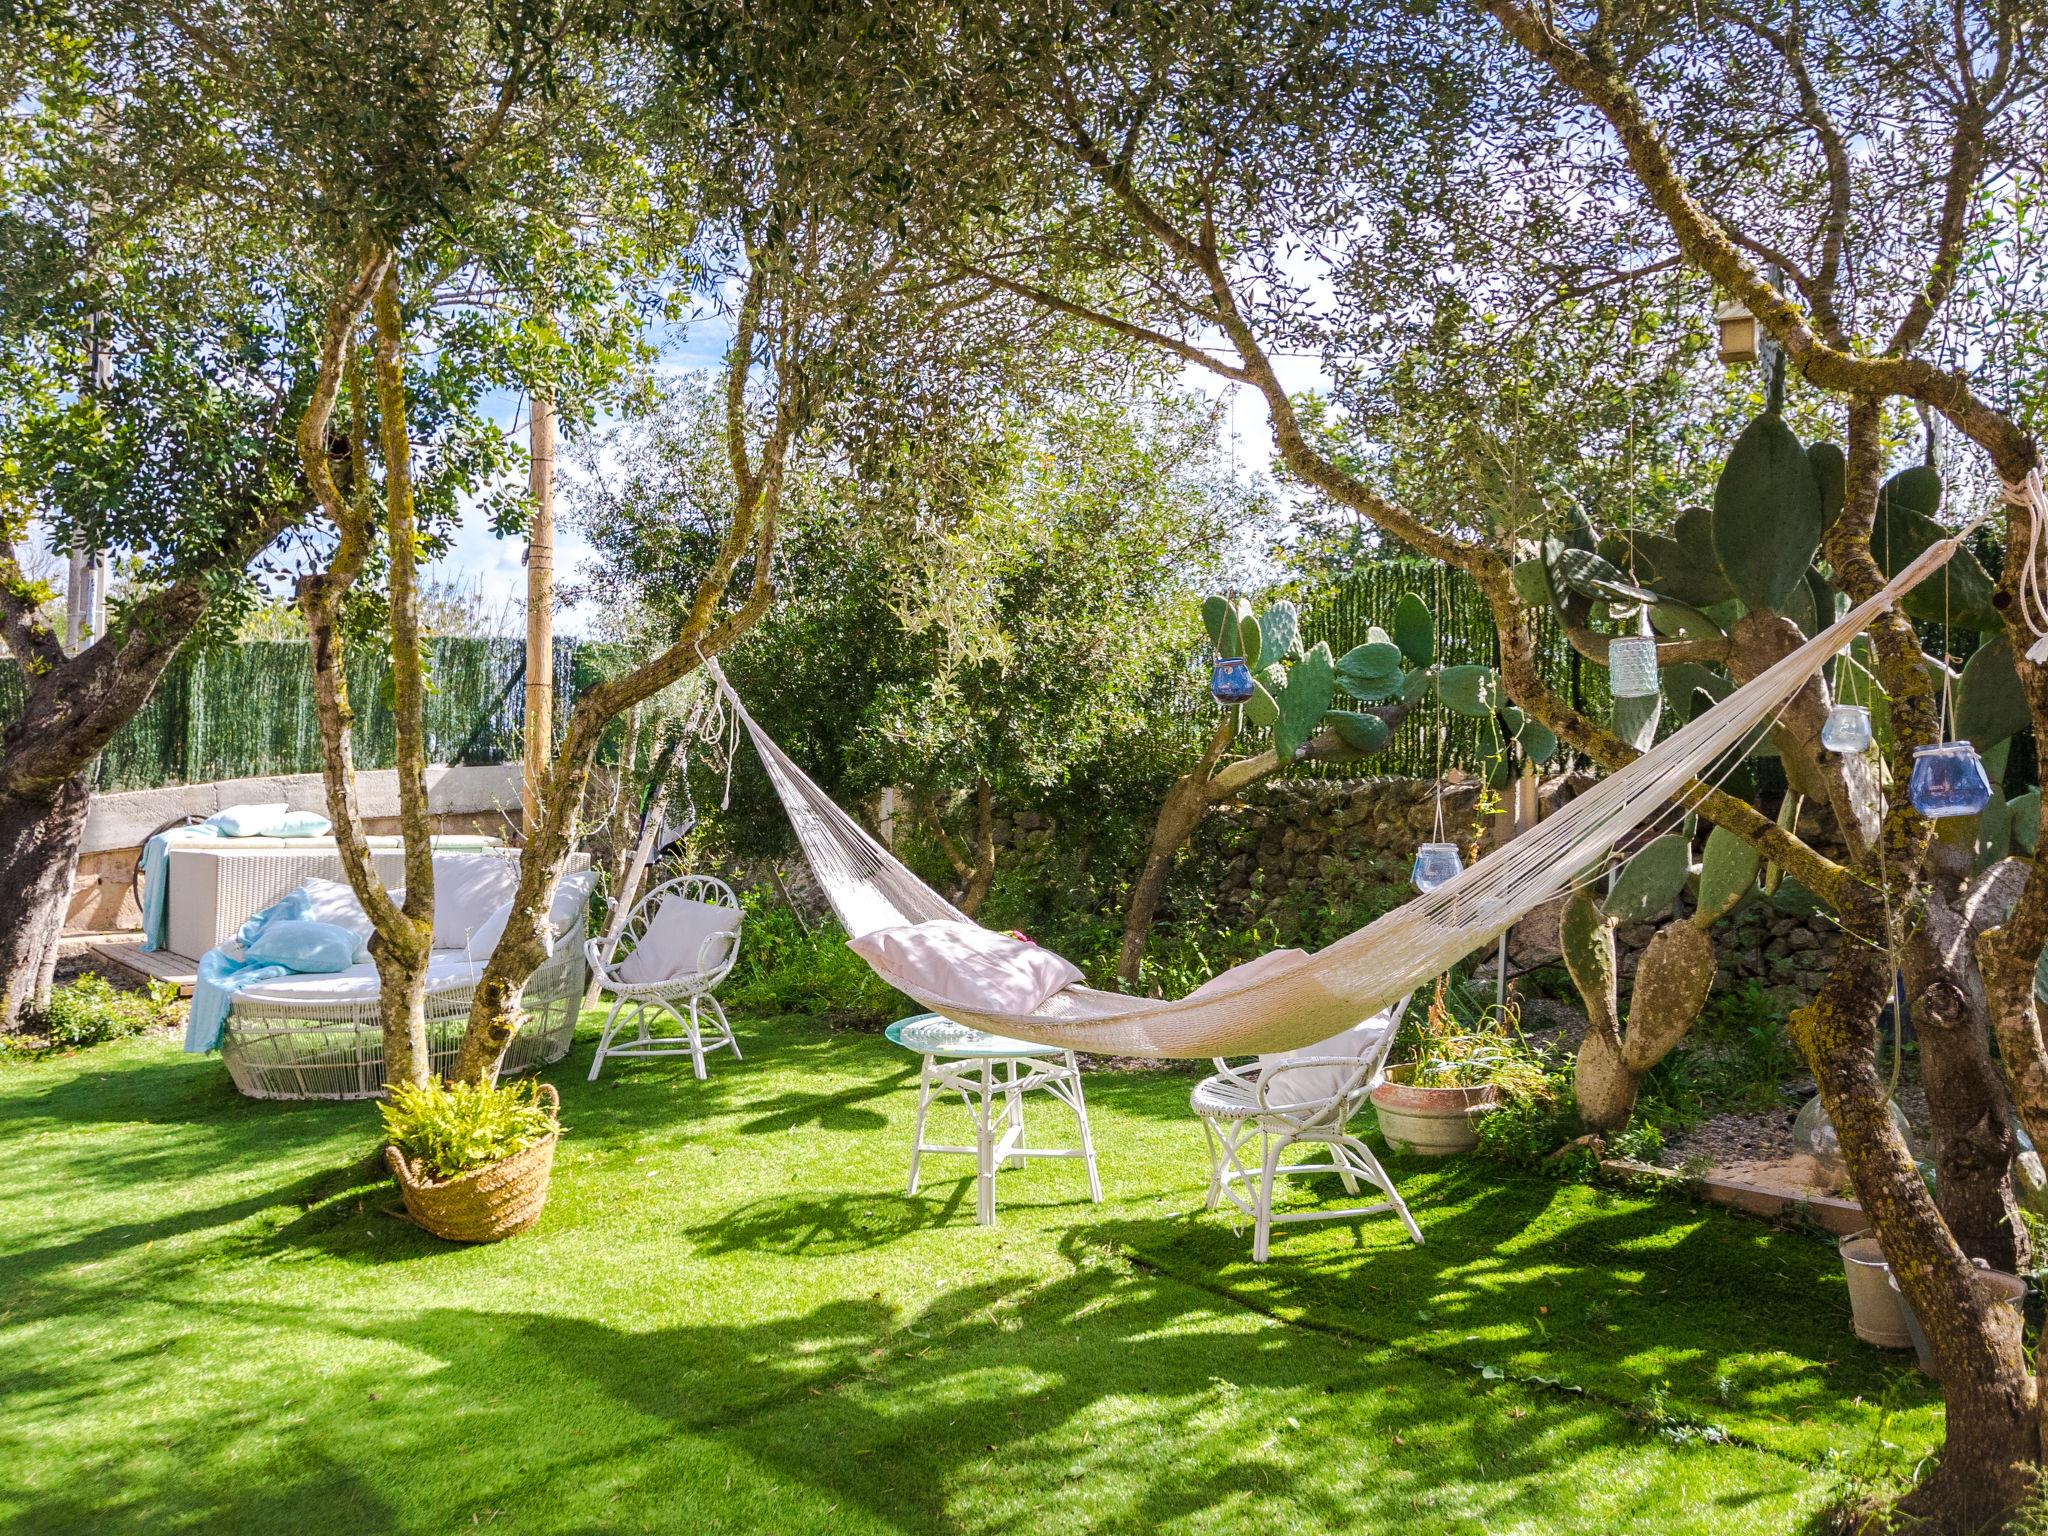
(474, 1160)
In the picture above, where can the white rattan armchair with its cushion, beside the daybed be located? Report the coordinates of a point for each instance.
(650, 980)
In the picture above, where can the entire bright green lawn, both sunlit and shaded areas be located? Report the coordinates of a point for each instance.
(734, 1320)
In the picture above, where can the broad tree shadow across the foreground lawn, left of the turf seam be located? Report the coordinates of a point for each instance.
(1097, 1400)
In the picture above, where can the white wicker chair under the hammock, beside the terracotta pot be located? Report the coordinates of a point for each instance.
(1273, 1101)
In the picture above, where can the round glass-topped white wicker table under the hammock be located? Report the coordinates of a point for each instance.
(992, 1074)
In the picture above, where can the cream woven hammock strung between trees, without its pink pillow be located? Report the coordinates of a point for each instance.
(1328, 992)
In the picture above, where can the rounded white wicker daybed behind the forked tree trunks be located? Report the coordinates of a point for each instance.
(321, 1037)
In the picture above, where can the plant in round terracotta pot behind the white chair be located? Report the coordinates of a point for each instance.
(1461, 1066)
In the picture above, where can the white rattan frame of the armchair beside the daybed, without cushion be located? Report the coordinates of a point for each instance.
(642, 1005)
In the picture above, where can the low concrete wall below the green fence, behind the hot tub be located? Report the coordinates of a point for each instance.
(103, 896)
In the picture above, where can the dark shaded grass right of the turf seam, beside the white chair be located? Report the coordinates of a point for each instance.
(1693, 1318)
